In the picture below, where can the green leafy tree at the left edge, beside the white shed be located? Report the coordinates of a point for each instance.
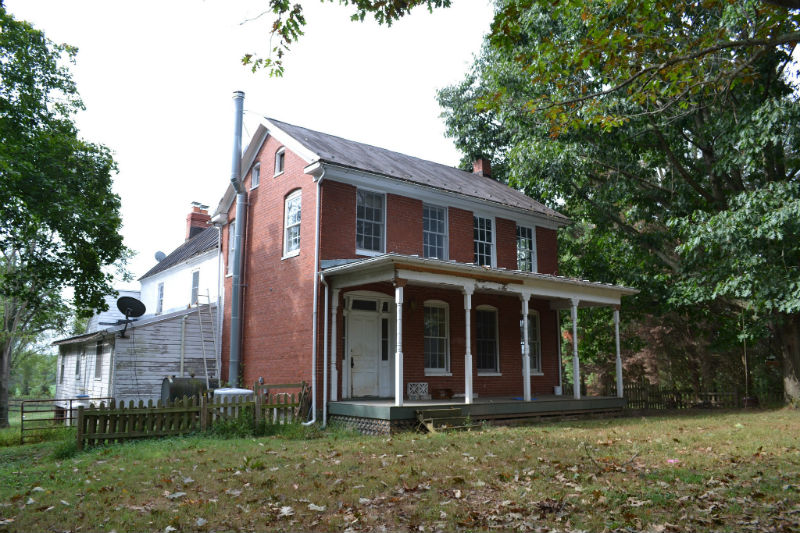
(59, 220)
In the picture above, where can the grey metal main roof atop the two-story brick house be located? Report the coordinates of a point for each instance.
(364, 157)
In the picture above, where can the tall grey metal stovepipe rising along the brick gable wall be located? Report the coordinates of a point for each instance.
(239, 225)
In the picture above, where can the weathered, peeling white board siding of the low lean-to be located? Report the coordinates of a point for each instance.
(152, 352)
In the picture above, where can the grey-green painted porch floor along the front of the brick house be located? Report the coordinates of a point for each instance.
(486, 408)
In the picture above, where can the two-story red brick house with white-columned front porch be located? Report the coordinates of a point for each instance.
(384, 270)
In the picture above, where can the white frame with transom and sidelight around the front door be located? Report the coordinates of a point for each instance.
(385, 309)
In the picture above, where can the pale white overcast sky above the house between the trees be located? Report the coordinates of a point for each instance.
(157, 79)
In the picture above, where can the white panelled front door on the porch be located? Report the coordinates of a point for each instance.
(364, 344)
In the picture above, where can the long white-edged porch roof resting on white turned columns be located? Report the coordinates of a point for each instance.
(417, 270)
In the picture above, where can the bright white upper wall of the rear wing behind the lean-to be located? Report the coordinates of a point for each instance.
(178, 284)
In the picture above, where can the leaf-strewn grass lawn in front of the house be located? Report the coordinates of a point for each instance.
(735, 471)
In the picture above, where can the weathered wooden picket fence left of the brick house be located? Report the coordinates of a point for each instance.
(112, 422)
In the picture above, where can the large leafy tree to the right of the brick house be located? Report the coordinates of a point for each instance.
(667, 186)
